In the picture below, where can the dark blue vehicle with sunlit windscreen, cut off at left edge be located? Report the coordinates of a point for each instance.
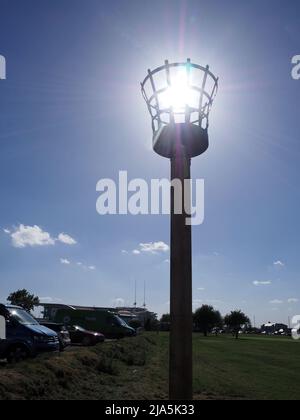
(24, 336)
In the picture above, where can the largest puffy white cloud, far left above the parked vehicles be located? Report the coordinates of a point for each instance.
(32, 236)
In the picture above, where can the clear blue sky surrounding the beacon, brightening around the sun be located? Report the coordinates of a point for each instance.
(71, 113)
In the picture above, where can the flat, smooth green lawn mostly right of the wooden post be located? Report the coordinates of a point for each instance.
(252, 367)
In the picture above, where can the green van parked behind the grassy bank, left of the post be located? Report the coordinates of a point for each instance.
(105, 321)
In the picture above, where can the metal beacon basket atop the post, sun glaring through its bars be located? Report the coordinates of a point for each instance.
(179, 97)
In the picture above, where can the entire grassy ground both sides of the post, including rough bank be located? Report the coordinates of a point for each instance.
(252, 367)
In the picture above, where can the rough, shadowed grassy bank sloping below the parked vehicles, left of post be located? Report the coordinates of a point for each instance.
(109, 371)
